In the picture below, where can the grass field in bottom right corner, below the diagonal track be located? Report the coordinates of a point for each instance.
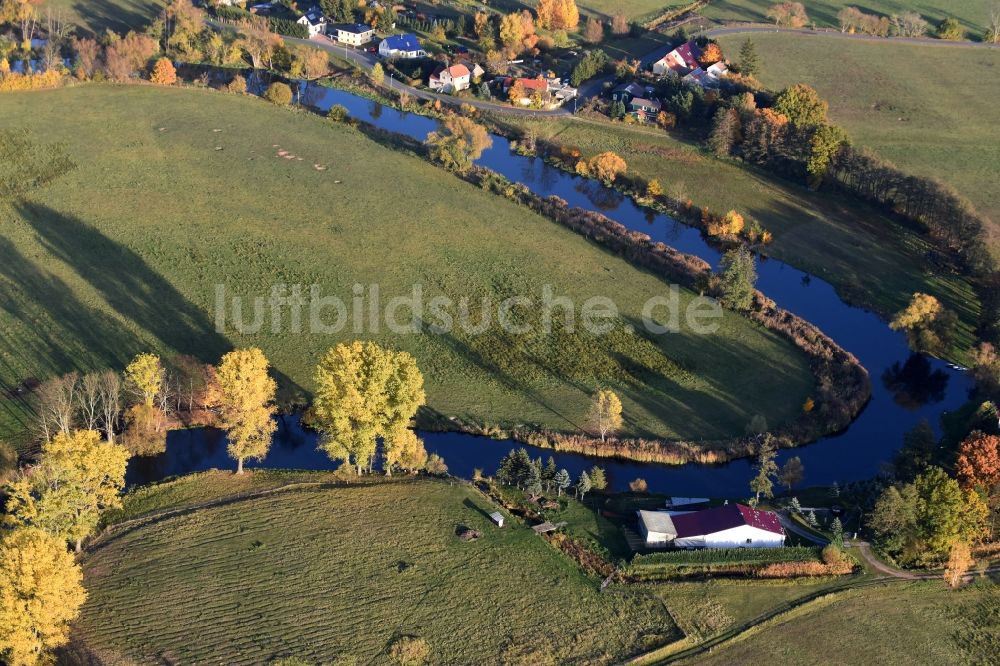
(920, 623)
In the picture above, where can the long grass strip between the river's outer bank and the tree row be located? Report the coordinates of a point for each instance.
(832, 237)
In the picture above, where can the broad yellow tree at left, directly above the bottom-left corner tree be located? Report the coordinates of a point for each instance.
(77, 477)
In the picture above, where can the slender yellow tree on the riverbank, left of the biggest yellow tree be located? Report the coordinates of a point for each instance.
(246, 404)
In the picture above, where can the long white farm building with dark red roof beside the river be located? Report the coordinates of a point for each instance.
(729, 526)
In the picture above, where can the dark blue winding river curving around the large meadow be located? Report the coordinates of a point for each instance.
(906, 387)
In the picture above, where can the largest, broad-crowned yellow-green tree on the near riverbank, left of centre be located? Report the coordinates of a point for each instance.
(365, 392)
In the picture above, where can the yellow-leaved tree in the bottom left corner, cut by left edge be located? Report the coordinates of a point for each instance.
(41, 592)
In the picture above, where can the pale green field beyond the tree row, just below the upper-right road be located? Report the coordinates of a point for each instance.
(929, 109)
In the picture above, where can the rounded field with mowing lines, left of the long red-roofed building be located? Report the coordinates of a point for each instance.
(335, 575)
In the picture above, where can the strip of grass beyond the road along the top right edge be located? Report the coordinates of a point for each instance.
(972, 13)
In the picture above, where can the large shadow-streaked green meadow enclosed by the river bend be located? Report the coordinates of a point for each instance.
(124, 254)
